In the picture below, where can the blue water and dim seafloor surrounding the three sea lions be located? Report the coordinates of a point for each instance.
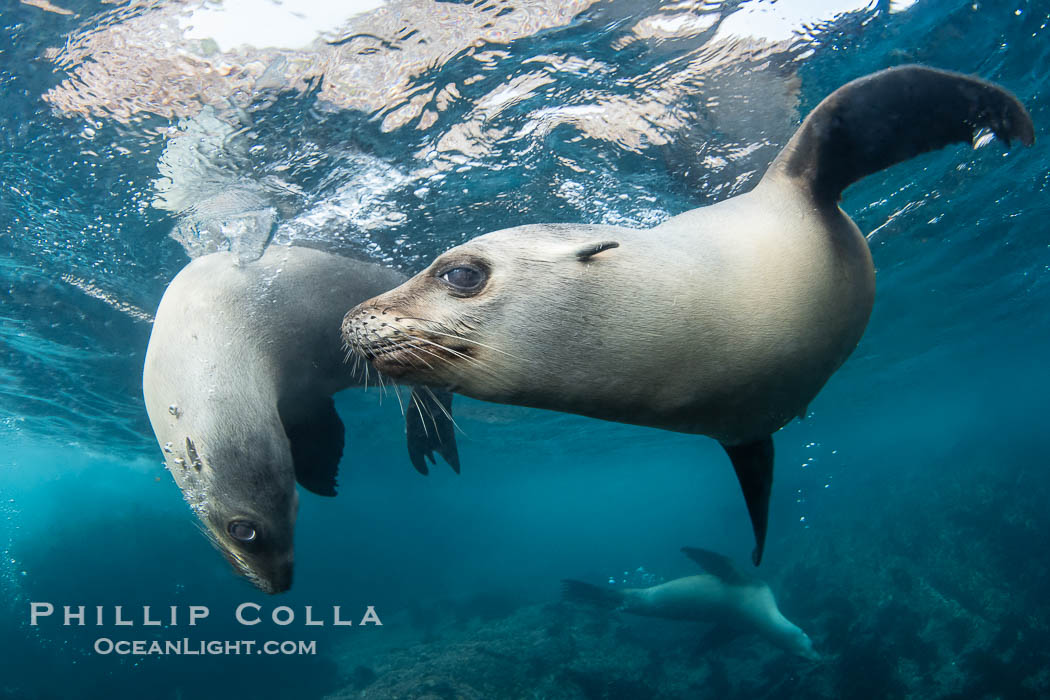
(909, 525)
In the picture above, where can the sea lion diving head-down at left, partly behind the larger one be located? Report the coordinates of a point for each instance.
(240, 373)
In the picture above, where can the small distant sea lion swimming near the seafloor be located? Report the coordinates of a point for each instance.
(736, 602)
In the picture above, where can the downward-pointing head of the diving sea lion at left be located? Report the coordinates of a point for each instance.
(243, 490)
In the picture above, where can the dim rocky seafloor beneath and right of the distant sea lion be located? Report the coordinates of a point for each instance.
(937, 591)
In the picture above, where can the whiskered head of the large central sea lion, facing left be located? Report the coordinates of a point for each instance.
(490, 319)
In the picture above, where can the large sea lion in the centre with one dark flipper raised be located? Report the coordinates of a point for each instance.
(725, 322)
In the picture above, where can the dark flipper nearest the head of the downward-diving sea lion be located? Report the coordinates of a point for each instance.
(317, 436)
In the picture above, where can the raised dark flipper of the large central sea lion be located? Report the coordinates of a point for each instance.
(892, 116)
